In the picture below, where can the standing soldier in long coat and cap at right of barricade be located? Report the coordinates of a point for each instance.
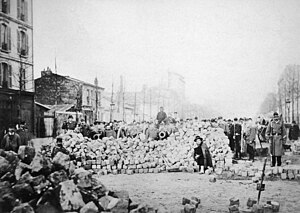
(276, 133)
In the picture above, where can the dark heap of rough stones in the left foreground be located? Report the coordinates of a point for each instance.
(32, 182)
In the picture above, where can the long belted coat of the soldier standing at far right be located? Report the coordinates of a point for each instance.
(276, 133)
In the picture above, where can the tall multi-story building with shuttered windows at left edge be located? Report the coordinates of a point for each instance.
(16, 63)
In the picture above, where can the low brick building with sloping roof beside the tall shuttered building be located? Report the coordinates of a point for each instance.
(54, 89)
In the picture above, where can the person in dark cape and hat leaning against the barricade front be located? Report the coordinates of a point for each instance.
(202, 155)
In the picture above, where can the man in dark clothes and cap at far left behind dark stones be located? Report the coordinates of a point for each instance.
(11, 141)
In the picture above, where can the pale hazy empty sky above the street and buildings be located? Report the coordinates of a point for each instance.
(231, 53)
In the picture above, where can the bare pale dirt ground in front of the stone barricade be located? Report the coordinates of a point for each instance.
(166, 190)
